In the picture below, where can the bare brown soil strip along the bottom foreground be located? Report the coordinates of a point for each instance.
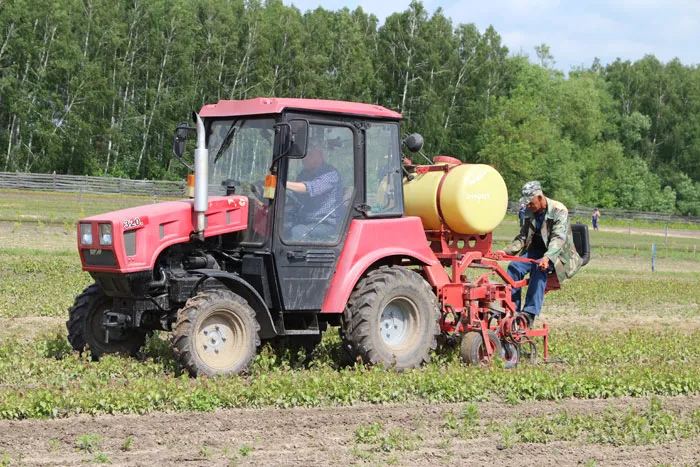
(325, 436)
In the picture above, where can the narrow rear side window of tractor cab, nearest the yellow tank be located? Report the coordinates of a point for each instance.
(383, 170)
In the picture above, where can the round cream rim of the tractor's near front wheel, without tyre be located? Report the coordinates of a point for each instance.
(221, 340)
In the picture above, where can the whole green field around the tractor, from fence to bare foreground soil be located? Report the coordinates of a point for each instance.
(651, 344)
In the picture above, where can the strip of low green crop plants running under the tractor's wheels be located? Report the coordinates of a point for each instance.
(46, 379)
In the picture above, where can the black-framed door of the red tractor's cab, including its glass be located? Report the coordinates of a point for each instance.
(315, 197)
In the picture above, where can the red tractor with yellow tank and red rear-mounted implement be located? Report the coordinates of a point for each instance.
(305, 214)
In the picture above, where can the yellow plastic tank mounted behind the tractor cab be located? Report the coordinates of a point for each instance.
(469, 198)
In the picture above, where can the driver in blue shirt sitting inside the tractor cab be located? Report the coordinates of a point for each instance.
(319, 191)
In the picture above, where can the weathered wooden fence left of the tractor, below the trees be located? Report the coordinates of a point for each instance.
(92, 185)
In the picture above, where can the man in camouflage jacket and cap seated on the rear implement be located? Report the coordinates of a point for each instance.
(545, 236)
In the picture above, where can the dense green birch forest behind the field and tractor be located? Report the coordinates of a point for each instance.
(96, 87)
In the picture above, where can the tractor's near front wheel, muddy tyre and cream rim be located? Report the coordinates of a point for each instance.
(216, 333)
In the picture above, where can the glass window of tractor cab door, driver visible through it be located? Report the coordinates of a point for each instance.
(320, 186)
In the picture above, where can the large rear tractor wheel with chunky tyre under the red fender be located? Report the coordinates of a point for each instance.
(391, 318)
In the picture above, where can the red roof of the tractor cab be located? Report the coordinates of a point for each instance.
(265, 105)
